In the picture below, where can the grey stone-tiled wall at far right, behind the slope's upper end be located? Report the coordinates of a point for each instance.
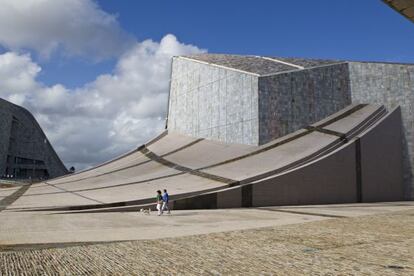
(391, 85)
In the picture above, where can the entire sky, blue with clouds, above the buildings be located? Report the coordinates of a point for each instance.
(95, 73)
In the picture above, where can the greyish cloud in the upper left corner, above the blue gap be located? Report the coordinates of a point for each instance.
(76, 27)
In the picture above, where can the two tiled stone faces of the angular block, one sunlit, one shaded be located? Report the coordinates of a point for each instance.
(237, 107)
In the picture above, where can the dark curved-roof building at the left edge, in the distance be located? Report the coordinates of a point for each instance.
(25, 151)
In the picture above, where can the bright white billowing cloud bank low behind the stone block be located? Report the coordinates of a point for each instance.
(106, 117)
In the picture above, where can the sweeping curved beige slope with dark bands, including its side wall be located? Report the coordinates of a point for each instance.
(334, 160)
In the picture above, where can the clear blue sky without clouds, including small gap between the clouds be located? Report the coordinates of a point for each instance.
(339, 29)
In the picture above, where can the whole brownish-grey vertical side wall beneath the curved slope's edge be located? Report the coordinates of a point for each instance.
(368, 168)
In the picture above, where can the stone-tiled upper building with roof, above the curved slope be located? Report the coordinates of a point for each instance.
(252, 100)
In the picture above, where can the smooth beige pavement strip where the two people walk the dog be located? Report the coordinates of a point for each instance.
(47, 227)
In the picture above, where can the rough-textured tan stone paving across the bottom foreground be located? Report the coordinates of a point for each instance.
(381, 244)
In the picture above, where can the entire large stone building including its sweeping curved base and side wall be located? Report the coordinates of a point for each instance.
(248, 131)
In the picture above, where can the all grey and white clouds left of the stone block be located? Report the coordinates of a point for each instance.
(103, 118)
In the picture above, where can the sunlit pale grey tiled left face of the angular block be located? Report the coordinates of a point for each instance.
(212, 102)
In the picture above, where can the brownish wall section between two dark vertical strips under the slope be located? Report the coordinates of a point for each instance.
(329, 180)
